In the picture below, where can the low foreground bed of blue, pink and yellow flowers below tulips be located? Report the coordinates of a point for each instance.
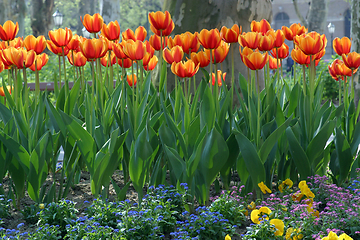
(314, 210)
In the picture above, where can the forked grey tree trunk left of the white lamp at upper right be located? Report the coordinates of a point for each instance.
(316, 18)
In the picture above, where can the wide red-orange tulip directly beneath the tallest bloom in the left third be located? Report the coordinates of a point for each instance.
(93, 48)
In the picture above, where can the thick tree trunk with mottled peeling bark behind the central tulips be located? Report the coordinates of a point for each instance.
(190, 15)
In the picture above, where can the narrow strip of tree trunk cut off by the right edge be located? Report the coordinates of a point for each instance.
(355, 36)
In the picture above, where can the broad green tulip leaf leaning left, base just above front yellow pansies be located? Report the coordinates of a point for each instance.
(252, 161)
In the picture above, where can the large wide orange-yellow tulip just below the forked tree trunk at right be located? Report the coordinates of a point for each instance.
(310, 43)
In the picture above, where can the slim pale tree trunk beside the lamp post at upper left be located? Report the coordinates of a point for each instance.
(41, 21)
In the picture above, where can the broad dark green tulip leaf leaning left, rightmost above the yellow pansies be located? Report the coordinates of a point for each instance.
(298, 155)
